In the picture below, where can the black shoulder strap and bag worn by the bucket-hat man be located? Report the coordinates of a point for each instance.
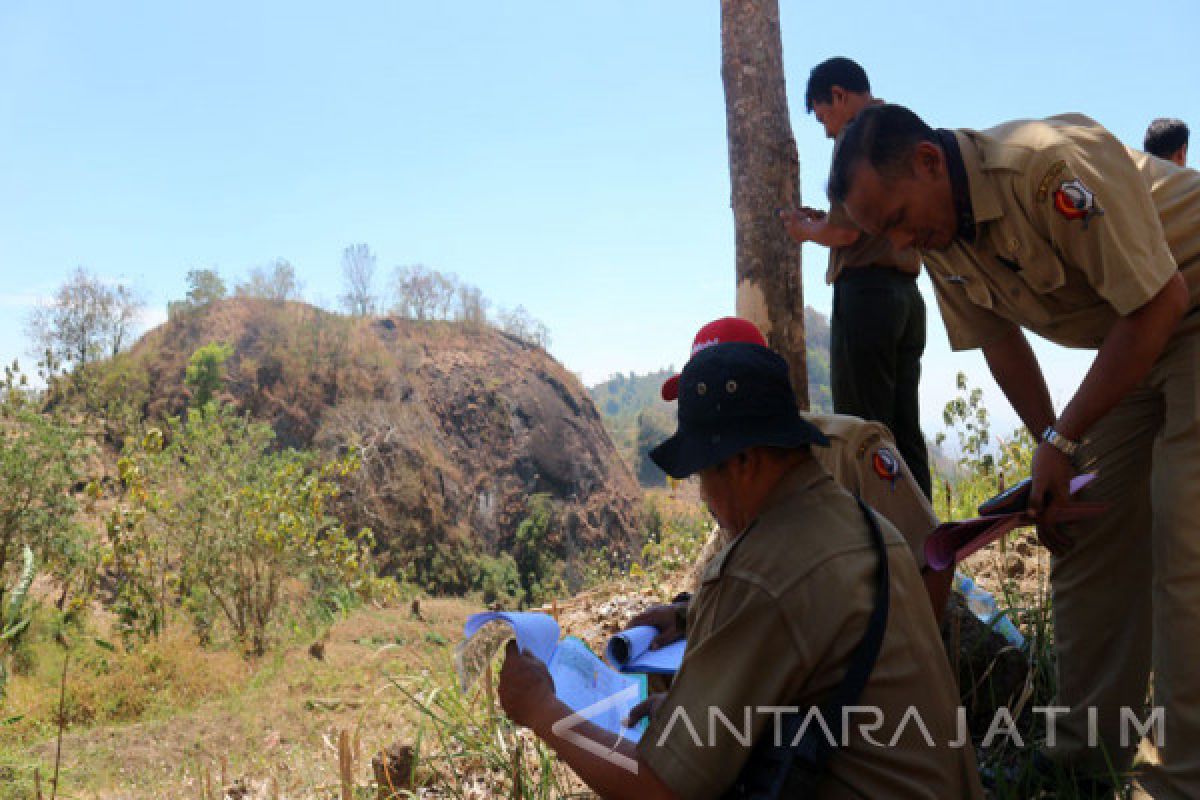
(773, 768)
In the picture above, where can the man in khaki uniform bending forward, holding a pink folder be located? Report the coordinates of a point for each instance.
(1057, 227)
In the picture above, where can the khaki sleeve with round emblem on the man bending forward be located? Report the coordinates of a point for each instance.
(1088, 199)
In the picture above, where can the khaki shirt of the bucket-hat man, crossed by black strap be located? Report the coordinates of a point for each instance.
(775, 624)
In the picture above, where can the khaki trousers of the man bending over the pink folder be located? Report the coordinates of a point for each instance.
(1127, 597)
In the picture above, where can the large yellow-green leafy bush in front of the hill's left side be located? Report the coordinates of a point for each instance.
(213, 516)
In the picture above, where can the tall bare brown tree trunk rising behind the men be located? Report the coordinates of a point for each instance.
(765, 175)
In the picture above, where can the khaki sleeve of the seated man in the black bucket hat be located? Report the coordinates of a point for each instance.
(749, 661)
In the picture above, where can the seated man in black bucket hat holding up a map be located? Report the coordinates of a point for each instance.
(812, 582)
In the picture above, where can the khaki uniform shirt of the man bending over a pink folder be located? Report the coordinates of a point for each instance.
(1073, 231)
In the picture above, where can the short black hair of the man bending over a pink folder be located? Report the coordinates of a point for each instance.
(883, 136)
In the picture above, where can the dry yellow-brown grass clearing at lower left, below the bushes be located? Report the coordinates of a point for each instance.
(277, 723)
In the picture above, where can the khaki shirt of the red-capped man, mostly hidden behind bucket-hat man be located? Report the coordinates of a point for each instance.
(863, 460)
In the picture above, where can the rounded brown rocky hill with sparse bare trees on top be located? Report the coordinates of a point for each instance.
(464, 432)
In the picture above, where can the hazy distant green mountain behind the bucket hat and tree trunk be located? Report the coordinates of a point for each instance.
(638, 419)
